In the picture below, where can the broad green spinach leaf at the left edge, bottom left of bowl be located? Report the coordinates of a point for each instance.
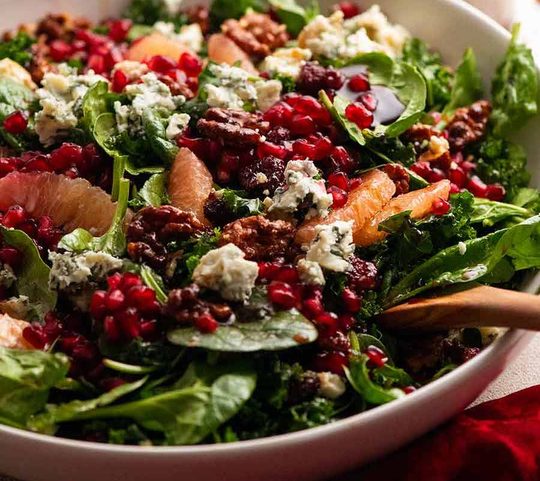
(26, 376)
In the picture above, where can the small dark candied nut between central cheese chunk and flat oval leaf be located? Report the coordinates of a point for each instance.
(185, 305)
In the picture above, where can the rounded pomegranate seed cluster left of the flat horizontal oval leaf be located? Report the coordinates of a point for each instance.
(127, 309)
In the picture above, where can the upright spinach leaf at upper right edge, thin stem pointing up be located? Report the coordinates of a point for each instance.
(514, 89)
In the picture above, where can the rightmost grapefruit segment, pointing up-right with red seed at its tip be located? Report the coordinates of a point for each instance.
(419, 202)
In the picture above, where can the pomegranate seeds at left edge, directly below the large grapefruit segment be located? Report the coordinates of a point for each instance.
(41, 230)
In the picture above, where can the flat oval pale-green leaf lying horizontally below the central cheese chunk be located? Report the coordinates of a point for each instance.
(282, 330)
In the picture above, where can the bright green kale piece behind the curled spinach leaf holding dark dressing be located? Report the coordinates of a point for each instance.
(438, 77)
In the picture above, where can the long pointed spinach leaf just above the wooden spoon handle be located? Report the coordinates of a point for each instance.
(506, 250)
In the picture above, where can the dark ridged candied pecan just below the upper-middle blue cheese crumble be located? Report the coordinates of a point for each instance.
(233, 126)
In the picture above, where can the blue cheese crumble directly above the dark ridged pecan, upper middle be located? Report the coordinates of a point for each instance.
(238, 88)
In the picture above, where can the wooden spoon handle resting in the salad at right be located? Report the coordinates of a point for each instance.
(480, 306)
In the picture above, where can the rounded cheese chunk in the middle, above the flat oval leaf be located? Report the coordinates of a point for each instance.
(225, 270)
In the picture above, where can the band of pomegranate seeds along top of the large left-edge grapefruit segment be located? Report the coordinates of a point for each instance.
(69, 159)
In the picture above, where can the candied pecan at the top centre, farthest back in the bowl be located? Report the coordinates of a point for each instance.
(256, 33)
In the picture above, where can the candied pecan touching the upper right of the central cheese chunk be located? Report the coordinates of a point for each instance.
(261, 239)
